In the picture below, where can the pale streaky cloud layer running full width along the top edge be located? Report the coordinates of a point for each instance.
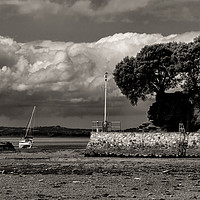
(107, 10)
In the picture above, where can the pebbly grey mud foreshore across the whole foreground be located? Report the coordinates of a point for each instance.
(41, 174)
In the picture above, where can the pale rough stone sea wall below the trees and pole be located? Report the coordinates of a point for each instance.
(147, 144)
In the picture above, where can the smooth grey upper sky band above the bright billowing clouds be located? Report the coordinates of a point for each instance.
(90, 20)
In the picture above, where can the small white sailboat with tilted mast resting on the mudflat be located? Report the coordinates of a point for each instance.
(27, 140)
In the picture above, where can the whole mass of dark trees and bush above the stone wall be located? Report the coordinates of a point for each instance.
(156, 70)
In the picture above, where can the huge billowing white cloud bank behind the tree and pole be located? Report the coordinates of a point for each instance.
(54, 75)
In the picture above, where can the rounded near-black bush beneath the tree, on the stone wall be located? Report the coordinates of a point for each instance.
(172, 109)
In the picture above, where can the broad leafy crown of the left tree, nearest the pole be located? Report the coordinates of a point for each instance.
(153, 71)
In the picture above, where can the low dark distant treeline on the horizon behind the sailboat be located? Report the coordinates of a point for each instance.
(50, 131)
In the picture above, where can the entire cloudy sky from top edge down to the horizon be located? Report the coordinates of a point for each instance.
(54, 53)
